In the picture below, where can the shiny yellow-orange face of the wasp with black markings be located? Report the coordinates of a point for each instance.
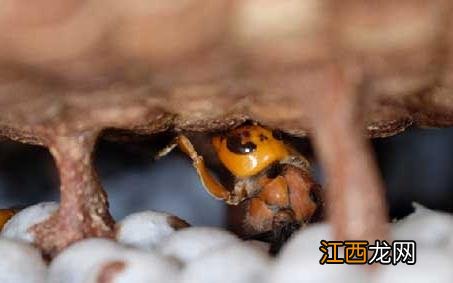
(247, 150)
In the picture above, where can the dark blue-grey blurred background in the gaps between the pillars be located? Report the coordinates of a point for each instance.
(417, 165)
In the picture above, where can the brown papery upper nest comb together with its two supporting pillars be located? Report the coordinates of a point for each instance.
(337, 71)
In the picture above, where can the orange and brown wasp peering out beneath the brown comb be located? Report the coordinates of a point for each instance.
(271, 177)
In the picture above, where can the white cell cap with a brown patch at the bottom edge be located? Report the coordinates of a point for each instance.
(89, 260)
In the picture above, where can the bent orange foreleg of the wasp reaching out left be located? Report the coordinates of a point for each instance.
(212, 186)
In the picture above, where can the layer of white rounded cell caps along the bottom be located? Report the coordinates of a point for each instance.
(149, 247)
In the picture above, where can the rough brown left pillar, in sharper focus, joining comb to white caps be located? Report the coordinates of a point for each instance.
(83, 210)
